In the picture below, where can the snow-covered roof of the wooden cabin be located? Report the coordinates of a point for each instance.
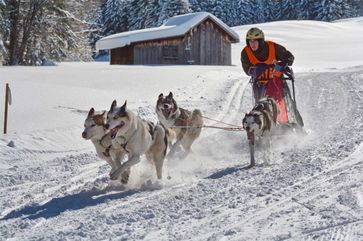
(175, 26)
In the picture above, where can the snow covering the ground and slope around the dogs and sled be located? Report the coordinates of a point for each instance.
(54, 187)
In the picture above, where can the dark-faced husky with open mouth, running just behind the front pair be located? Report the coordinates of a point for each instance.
(187, 125)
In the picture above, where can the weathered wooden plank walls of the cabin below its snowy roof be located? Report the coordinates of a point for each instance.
(209, 45)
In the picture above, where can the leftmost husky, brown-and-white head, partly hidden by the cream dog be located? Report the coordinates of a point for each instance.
(95, 131)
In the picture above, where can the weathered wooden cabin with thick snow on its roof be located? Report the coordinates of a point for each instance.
(196, 38)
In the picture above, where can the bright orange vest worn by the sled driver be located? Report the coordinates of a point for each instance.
(271, 59)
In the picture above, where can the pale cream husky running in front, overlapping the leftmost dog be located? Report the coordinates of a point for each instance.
(136, 137)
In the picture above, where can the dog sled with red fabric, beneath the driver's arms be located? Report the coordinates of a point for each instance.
(278, 83)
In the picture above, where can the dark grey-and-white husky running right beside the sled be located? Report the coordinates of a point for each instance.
(259, 122)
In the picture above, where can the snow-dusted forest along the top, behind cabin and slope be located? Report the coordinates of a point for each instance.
(33, 31)
